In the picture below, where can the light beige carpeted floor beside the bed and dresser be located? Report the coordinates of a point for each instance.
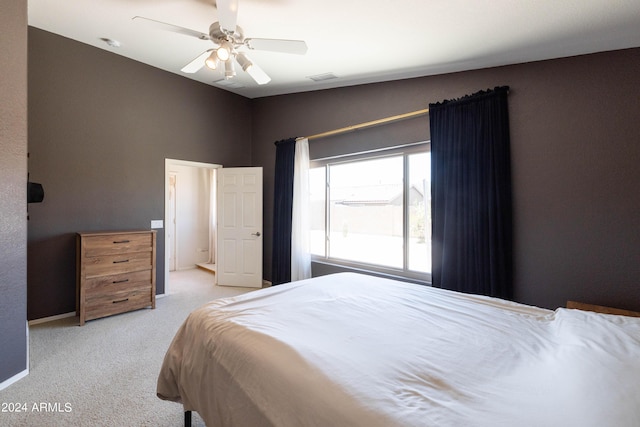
(104, 373)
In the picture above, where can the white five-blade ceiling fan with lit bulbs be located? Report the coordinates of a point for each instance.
(229, 41)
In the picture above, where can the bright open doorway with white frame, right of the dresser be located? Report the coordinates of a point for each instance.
(189, 206)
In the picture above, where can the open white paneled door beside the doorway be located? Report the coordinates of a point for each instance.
(239, 245)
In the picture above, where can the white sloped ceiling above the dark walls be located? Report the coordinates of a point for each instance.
(360, 41)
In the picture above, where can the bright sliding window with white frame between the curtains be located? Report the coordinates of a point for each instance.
(374, 212)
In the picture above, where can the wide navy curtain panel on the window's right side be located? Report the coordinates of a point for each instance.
(471, 204)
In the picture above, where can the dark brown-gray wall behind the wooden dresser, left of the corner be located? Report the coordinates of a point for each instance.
(100, 128)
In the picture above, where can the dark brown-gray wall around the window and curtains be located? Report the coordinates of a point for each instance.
(575, 153)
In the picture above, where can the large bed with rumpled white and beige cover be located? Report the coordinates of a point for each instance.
(356, 350)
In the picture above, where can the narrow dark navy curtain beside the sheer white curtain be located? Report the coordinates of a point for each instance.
(282, 208)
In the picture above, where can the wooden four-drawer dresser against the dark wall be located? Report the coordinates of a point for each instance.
(116, 272)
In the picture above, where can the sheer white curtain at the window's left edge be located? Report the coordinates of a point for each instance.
(300, 249)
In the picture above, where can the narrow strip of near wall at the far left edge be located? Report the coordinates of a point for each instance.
(13, 200)
